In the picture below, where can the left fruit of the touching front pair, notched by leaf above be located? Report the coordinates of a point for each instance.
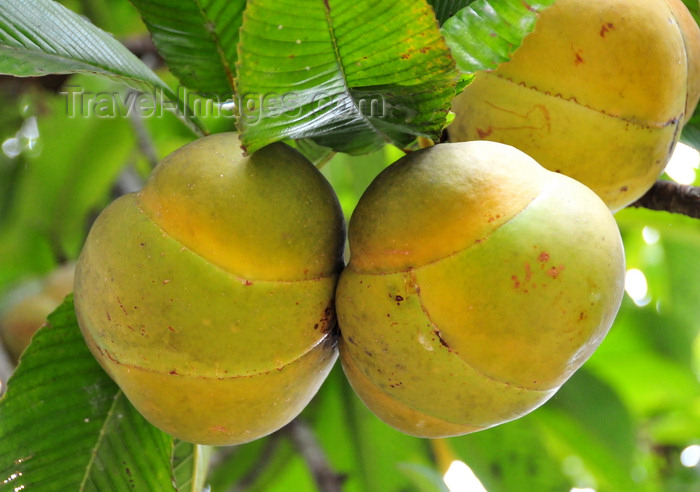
(208, 295)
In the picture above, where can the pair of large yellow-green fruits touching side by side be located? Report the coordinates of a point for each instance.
(478, 282)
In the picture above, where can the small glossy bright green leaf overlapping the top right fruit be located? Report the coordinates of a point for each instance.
(487, 32)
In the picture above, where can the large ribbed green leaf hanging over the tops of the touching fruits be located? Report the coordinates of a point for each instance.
(351, 75)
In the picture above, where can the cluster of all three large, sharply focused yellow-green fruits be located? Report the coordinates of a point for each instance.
(478, 281)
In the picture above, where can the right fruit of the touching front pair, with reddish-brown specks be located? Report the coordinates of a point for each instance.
(478, 282)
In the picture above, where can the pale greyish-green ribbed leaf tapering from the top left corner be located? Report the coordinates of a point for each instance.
(38, 37)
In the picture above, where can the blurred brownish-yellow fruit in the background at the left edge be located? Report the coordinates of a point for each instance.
(27, 306)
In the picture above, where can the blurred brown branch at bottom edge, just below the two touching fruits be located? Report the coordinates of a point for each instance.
(327, 480)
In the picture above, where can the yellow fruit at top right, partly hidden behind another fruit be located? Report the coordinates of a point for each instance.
(598, 91)
